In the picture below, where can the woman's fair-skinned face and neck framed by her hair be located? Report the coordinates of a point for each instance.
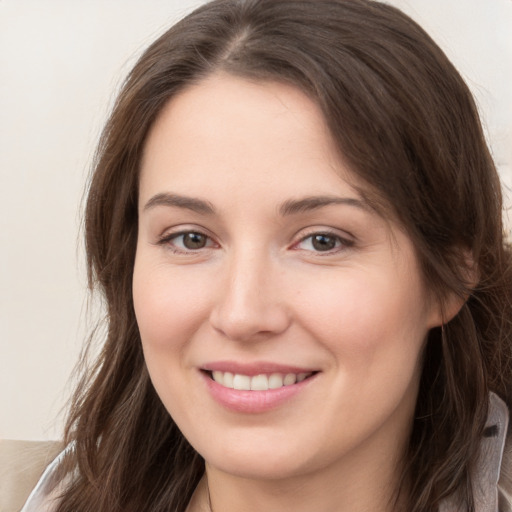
(257, 257)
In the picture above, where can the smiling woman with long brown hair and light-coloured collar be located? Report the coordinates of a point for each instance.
(296, 225)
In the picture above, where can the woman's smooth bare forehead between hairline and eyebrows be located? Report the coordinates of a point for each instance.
(226, 132)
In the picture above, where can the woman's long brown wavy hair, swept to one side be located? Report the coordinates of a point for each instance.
(406, 123)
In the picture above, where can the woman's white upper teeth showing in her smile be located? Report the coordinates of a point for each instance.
(260, 382)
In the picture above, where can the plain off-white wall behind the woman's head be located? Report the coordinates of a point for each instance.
(60, 61)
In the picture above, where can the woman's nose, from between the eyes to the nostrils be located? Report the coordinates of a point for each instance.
(250, 304)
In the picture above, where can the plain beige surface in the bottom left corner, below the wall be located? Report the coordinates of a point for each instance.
(21, 465)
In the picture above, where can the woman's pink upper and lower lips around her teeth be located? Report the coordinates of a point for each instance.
(253, 402)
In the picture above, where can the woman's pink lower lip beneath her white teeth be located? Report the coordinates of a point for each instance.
(253, 402)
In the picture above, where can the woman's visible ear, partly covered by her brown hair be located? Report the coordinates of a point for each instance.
(448, 304)
